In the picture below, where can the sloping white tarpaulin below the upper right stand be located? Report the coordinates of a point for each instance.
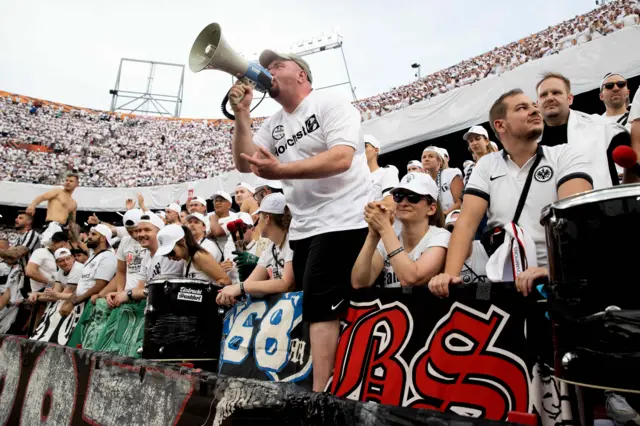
(584, 65)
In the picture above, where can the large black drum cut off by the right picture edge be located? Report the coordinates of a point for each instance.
(593, 300)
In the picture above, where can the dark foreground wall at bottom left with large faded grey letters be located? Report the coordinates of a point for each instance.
(50, 384)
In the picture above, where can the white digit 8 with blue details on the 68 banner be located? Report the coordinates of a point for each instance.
(274, 336)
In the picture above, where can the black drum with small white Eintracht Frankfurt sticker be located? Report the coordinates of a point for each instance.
(181, 320)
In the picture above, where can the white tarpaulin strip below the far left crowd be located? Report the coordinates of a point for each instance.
(113, 199)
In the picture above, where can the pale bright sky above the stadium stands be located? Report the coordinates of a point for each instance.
(69, 51)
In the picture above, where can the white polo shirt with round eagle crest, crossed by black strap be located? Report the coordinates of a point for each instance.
(498, 180)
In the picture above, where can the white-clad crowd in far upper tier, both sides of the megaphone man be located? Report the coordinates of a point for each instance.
(128, 151)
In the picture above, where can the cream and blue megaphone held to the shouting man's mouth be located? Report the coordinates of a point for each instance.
(211, 51)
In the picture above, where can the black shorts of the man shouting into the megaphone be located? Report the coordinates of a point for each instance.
(323, 264)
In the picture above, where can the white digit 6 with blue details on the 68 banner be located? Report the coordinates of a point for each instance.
(240, 331)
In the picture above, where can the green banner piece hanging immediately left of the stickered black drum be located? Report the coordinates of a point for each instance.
(124, 330)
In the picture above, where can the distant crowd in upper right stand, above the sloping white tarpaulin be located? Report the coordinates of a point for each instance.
(600, 22)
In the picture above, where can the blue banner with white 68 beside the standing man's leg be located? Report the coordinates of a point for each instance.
(266, 339)
